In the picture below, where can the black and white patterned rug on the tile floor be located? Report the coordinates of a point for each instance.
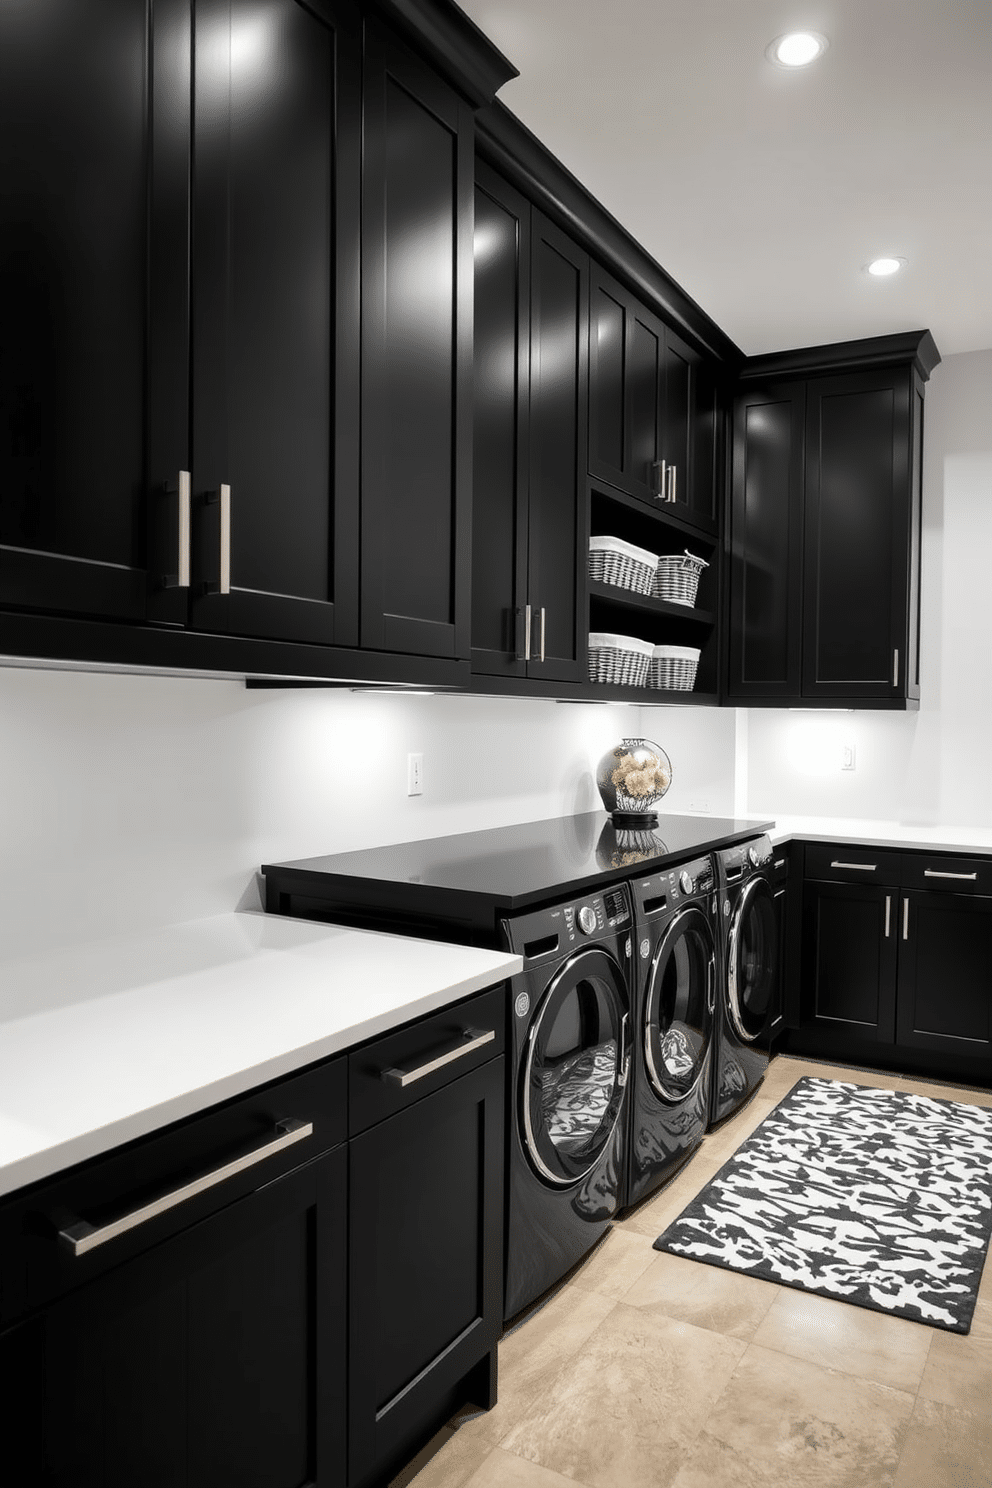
(866, 1196)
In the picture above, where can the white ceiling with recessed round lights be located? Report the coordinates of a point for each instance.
(765, 193)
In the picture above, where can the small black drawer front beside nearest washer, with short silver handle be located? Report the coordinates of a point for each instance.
(392, 1074)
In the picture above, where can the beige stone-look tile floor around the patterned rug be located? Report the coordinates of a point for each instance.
(646, 1371)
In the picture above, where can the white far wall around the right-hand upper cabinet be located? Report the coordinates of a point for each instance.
(933, 766)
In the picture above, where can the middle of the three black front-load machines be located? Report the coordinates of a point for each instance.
(676, 938)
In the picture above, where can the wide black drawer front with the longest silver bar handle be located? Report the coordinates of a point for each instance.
(38, 1264)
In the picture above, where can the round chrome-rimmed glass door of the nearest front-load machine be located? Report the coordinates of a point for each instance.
(576, 1068)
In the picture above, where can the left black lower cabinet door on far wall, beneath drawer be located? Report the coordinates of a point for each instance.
(850, 950)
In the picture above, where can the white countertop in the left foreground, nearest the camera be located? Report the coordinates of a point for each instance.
(111, 1041)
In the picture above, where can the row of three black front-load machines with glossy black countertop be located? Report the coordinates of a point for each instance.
(639, 1020)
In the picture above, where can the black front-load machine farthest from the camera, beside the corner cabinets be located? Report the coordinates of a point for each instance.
(746, 1005)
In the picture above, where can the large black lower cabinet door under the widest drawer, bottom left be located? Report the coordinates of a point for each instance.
(216, 1358)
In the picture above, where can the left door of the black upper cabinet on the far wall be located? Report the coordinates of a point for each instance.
(767, 538)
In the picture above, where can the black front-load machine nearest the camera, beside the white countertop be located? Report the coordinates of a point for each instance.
(569, 1059)
